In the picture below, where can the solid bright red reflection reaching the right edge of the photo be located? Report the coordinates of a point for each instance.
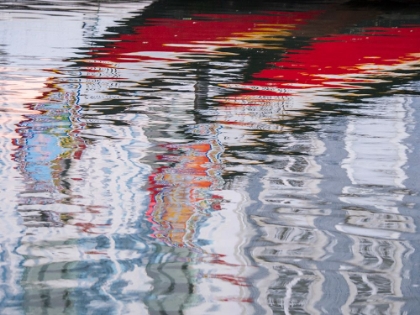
(336, 61)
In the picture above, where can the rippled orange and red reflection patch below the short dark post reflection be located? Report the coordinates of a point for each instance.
(182, 194)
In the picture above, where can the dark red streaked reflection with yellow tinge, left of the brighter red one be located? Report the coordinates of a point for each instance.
(201, 33)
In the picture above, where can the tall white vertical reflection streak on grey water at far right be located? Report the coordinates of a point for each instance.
(375, 166)
